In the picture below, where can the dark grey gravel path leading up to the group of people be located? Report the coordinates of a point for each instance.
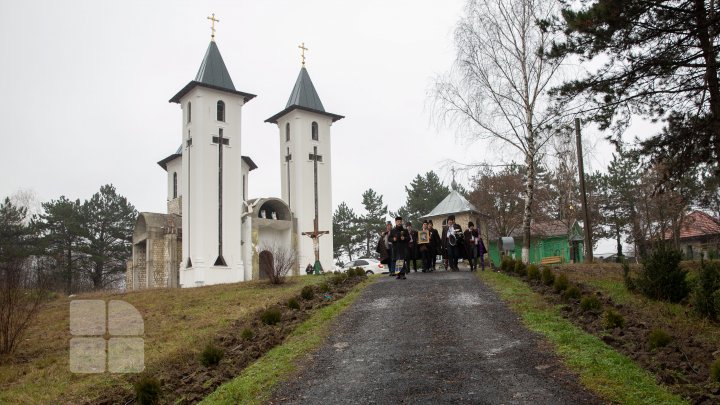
(433, 338)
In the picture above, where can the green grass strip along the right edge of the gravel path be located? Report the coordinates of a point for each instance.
(603, 370)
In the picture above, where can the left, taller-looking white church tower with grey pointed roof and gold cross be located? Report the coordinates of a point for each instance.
(212, 174)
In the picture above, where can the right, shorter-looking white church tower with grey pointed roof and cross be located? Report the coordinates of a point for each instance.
(305, 163)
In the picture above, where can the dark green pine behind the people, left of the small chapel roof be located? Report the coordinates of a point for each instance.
(423, 194)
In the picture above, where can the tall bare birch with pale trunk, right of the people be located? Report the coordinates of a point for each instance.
(497, 87)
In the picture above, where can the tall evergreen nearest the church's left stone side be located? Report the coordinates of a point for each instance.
(109, 220)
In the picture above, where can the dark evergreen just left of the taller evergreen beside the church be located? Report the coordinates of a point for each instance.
(63, 236)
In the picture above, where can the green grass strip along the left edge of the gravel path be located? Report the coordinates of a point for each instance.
(254, 385)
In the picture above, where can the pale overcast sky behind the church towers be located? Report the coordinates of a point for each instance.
(85, 87)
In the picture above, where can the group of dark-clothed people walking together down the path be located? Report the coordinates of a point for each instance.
(400, 247)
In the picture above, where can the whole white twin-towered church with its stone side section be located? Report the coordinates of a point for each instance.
(212, 232)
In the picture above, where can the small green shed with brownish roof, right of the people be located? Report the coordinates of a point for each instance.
(547, 239)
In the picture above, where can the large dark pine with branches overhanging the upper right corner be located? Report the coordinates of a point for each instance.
(661, 62)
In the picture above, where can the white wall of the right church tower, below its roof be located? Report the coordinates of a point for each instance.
(300, 195)
